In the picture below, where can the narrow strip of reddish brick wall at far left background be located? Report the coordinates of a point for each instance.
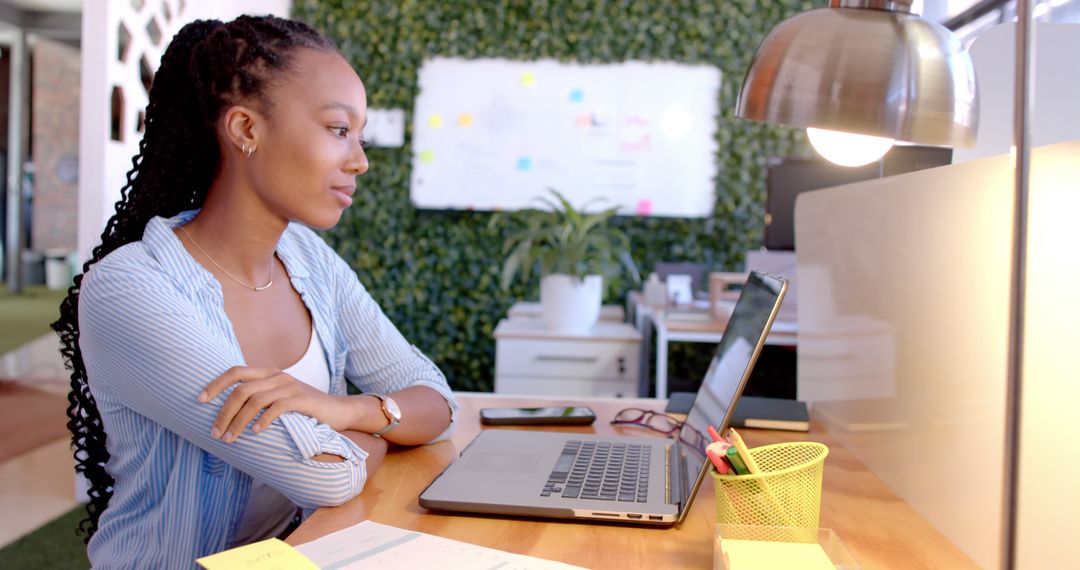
(55, 101)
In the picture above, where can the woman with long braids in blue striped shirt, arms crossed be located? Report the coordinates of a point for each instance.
(212, 332)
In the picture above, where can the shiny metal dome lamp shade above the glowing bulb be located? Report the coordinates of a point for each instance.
(881, 72)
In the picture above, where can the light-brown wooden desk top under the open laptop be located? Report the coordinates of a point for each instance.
(880, 530)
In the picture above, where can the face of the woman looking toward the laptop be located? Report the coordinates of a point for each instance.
(309, 150)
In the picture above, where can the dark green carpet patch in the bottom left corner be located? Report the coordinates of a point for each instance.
(53, 547)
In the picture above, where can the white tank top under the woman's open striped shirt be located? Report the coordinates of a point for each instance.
(269, 512)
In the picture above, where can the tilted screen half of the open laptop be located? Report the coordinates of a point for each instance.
(730, 371)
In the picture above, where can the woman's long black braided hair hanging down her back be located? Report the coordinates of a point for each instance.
(208, 67)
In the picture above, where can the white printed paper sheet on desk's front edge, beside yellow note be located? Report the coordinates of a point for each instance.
(374, 546)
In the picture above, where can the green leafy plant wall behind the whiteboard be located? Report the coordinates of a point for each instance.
(436, 274)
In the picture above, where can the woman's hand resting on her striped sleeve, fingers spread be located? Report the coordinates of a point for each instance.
(272, 392)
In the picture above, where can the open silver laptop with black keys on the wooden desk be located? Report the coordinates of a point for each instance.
(649, 481)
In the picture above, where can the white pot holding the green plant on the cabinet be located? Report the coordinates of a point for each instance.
(571, 305)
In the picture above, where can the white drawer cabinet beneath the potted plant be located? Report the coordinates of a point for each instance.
(530, 360)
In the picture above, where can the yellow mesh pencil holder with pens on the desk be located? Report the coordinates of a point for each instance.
(786, 494)
